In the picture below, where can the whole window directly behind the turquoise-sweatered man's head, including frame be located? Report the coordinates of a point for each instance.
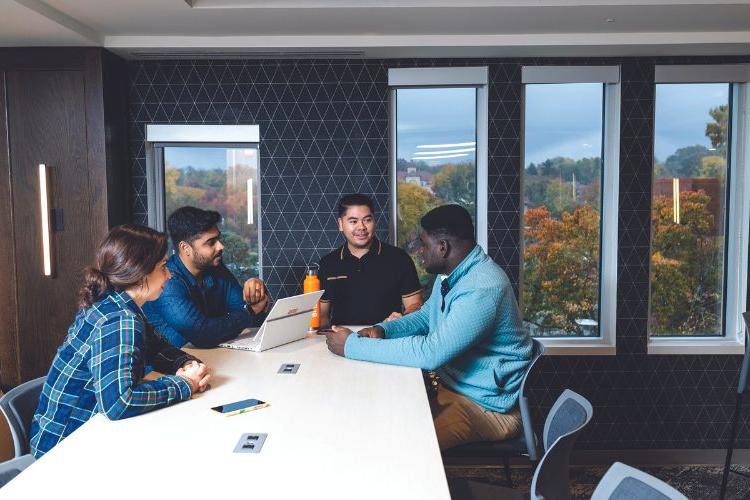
(439, 153)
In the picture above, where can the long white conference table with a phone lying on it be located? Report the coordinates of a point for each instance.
(337, 429)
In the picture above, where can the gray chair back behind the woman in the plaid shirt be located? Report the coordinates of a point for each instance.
(18, 406)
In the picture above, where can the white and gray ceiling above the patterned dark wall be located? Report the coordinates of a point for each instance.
(384, 28)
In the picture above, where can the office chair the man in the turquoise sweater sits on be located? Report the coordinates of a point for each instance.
(517, 446)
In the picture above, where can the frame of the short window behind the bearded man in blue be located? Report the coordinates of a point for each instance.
(194, 136)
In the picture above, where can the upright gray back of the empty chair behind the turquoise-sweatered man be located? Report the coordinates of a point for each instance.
(565, 421)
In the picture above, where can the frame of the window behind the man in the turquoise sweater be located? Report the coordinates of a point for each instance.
(477, 77)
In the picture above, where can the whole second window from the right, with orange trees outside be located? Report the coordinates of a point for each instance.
(569, 192)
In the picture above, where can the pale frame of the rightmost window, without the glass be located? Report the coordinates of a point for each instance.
(732, 341)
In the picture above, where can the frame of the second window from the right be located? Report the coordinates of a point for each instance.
(609, 76)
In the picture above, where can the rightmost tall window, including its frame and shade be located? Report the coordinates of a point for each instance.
(697, 269)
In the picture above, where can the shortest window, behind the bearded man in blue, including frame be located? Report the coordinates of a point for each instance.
(218, 176)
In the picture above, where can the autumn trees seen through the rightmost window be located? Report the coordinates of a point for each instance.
(687, 248)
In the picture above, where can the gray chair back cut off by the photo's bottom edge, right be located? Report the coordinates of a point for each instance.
(622, 482)
